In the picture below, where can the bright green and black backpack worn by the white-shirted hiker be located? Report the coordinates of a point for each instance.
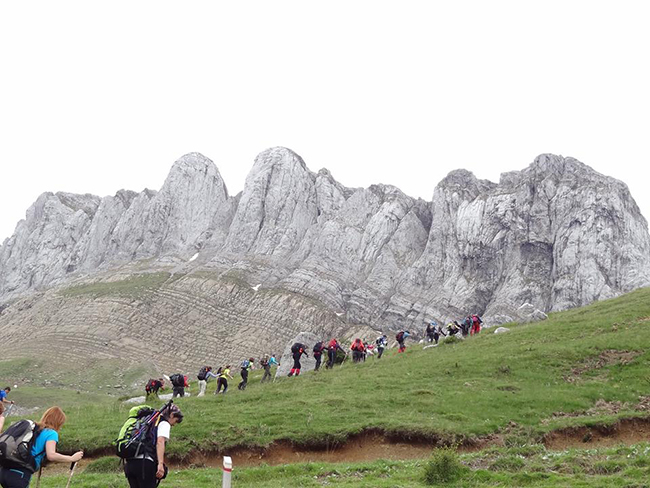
(138, 434)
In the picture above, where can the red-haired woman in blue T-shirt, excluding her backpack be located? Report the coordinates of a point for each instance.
(44, 446)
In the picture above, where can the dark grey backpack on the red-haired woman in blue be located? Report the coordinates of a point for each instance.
(16, 445)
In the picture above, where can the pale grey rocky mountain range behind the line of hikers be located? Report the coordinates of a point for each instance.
(296, 251)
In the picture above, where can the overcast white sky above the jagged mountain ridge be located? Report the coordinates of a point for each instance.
(99, 96)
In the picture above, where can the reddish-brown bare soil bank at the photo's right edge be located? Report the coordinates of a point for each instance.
(625, 431)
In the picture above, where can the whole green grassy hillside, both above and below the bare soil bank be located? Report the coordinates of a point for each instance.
(584, 367)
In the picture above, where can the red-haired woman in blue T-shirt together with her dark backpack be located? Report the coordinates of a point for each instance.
(41, 439)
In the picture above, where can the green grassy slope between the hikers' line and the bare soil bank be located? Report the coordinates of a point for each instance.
(453, 391)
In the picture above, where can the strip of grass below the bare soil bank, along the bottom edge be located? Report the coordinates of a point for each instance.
(515, 467)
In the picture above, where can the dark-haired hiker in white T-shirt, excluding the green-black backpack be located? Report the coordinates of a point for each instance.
(147, 469)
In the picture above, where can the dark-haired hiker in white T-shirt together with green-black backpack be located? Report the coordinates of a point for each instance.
(142, 442)
